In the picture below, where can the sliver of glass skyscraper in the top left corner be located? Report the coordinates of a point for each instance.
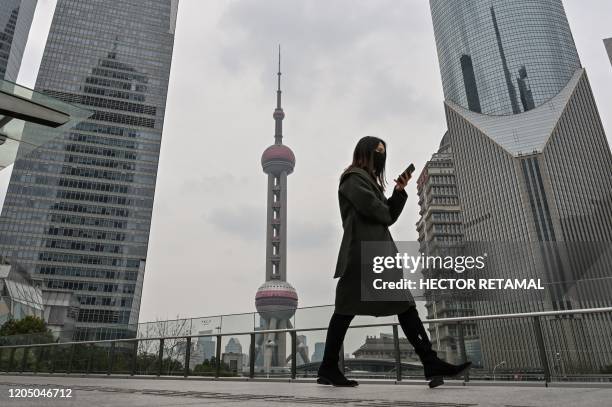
(15, 21)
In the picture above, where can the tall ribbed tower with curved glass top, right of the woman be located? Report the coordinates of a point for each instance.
(532, 164)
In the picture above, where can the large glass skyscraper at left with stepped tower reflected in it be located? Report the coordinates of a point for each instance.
(78, 209)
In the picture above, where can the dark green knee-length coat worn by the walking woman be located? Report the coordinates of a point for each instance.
(366, 216)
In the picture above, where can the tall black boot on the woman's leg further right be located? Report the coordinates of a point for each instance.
(435, 369)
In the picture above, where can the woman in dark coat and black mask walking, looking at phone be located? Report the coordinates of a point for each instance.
(366, 216)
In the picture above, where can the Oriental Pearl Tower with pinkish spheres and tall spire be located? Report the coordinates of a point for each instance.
(276, 300)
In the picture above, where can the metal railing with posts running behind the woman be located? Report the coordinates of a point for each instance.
(42, 349)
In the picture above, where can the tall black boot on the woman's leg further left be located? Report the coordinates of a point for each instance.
(329, 372)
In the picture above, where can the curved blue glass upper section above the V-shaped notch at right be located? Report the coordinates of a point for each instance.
(503, 57)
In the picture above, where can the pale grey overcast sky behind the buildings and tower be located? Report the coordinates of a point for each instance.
(350, 69)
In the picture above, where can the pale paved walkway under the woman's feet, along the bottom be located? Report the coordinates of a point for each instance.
(152, 392)
